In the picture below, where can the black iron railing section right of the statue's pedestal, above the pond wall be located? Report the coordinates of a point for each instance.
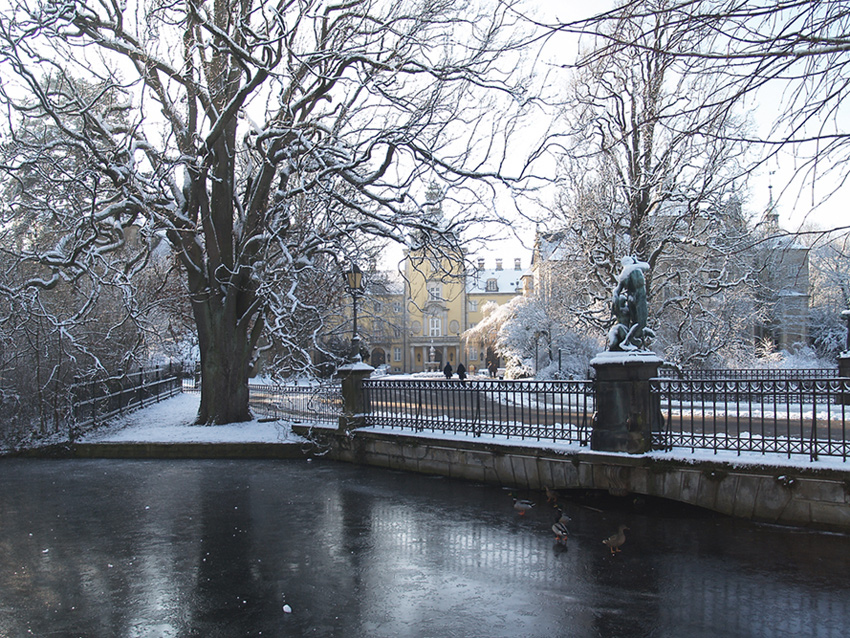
(785, 416)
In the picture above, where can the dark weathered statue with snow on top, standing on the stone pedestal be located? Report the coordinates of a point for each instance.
(629, 308)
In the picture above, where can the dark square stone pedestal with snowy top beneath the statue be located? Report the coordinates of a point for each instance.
(626, 411)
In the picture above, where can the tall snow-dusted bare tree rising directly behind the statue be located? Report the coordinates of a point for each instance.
(648, 170)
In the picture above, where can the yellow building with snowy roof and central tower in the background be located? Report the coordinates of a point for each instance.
(414, 319)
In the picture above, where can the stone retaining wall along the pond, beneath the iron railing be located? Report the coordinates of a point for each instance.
(784, 495)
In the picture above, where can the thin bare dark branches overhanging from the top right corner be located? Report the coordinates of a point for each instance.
(789, 58)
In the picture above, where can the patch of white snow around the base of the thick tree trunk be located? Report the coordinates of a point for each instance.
(172, 421)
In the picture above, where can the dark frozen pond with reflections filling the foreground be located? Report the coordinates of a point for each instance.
(157, 549)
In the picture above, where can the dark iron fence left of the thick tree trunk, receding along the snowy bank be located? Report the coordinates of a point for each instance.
(95, 401)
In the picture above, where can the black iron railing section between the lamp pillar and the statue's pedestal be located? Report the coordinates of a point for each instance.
(537, 410)
